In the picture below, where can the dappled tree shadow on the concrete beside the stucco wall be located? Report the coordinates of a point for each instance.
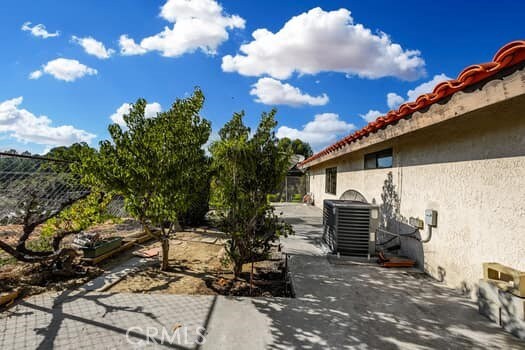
(368, 307)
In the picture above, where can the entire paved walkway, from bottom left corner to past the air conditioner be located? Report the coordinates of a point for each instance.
(337, 306)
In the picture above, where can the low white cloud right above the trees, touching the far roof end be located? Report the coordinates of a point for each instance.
(325, 129)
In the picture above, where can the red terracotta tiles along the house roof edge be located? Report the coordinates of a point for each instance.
(507, 56)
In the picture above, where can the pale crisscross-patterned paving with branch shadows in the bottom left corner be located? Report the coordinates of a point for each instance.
(102, 320)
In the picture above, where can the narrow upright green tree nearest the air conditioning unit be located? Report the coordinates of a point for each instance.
(246, 170)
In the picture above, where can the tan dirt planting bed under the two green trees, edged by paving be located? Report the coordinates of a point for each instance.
(198, 266)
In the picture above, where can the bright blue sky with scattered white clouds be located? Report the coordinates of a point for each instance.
(323, 64)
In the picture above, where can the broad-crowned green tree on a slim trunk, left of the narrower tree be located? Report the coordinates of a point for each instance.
(155, 163)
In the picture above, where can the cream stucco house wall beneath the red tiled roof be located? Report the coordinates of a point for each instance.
(472, 171)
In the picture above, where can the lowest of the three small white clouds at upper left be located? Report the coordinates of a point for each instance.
(64, 69)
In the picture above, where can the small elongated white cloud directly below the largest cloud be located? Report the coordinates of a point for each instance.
(273, 92)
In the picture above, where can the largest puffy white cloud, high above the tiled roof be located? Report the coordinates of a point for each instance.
(320, 41)
